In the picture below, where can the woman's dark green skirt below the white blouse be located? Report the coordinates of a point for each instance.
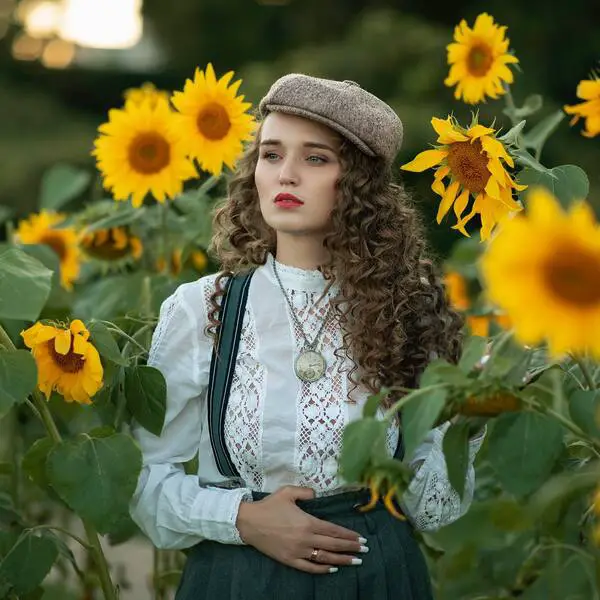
(394, 567)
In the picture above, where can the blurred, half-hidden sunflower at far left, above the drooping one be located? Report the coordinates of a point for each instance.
(43, 228)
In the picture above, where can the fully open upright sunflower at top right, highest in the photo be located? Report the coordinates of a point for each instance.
(478, 60)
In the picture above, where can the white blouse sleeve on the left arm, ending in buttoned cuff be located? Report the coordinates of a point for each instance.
(169, 505)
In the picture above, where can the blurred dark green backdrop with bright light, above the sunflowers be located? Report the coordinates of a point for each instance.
(59, 76)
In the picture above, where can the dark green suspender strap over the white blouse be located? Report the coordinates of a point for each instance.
(222, 365)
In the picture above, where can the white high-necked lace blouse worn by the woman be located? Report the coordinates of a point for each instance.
(278, 429)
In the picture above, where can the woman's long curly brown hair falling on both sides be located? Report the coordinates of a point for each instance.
(391, 304)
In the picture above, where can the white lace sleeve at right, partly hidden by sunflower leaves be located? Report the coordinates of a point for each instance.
(430, 501)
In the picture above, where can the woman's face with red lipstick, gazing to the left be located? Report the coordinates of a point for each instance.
(296, 174)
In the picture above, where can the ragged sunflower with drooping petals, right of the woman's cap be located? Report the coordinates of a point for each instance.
(472, 159)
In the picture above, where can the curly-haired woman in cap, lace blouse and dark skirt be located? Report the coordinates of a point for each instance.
(342, 301)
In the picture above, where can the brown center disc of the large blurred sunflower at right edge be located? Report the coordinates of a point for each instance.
(574, 276)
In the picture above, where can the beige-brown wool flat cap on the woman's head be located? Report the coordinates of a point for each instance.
(344, 106)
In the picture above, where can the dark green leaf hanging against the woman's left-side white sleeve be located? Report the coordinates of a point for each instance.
(146, 393)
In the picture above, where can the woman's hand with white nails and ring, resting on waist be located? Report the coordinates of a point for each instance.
(280, 529)
